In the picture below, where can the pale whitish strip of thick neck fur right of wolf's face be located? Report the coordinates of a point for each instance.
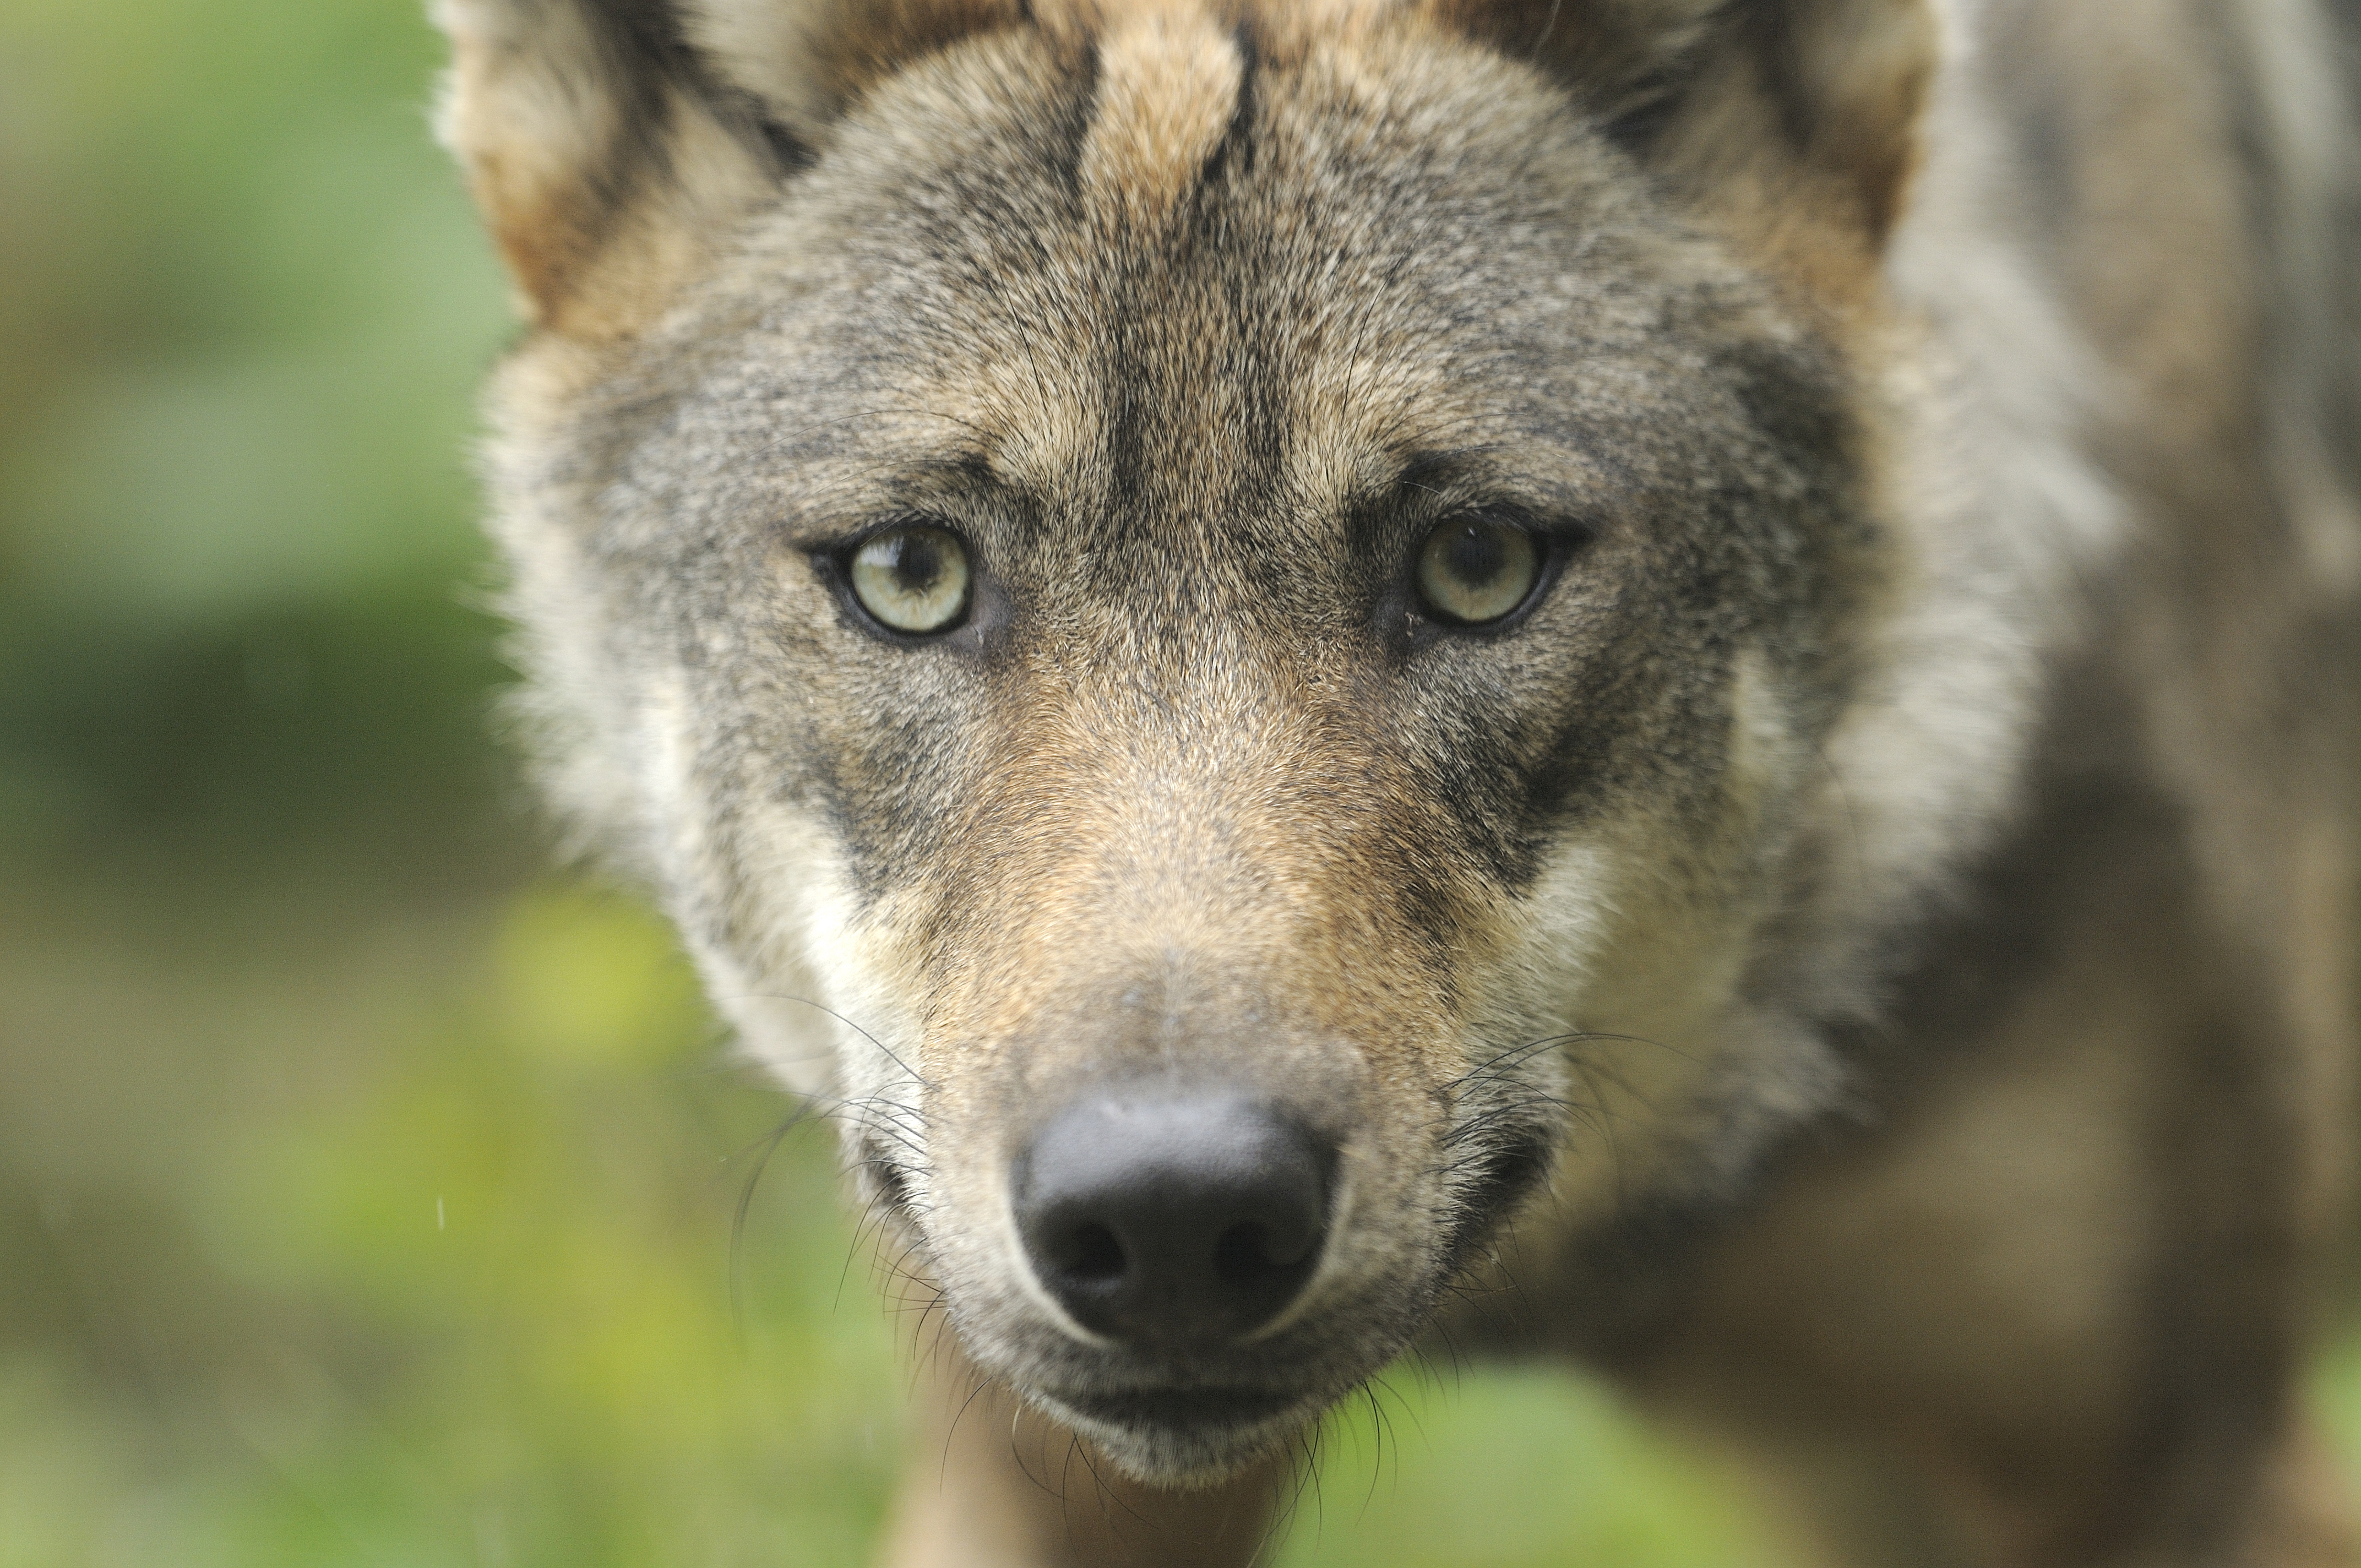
(2003, 514)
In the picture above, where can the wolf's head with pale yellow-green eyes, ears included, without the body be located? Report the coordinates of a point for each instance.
(1215, 620)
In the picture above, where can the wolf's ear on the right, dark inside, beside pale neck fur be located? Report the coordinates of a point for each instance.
(1767, 110)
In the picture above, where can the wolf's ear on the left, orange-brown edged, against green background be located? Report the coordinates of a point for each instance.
(613, 141)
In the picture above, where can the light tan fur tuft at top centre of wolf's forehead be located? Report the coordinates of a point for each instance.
(1168, 89)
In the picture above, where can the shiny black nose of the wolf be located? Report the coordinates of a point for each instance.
(1172, 1220)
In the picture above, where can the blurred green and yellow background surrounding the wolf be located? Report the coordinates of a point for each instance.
(367, 1187)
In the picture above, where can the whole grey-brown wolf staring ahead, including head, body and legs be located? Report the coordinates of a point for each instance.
(1647, 681)
